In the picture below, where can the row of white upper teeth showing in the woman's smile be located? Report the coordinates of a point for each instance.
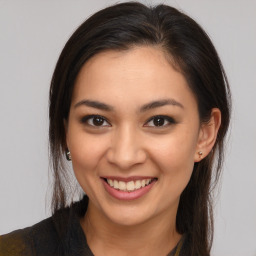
(129, 186)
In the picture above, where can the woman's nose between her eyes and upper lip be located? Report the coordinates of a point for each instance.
(126, 149)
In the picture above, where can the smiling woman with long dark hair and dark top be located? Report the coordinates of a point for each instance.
(139, 102)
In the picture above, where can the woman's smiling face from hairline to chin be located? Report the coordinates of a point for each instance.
(133, 133)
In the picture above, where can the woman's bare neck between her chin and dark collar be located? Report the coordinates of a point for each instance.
(157, 236)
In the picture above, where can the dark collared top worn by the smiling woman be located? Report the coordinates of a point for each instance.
(60, 234)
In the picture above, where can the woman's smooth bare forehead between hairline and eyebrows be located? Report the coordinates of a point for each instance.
(140, 74)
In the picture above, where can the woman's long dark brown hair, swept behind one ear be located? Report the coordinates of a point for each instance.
(121, 27)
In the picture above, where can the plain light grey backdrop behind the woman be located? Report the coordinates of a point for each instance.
(32, 34)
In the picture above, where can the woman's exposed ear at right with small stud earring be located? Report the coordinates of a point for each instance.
(207, 135)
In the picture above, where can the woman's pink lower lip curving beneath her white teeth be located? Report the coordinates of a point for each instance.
(125, 195)
